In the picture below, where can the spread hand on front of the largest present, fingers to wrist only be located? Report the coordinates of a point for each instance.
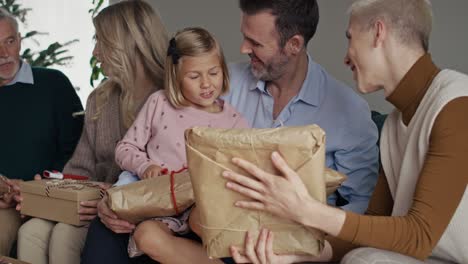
(283, 196)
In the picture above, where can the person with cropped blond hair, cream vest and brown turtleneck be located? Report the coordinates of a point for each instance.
(418, 211)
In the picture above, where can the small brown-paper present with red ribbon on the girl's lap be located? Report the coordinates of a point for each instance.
(165, 195)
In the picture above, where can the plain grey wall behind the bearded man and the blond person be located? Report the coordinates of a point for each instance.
(448, 44)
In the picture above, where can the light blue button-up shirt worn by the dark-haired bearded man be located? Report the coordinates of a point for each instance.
(336, 108)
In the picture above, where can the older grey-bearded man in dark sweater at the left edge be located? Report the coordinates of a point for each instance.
(38, 131)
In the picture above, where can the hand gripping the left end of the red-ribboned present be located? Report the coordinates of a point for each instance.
(111, 220)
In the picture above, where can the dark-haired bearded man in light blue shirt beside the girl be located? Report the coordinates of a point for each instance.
(283, 86)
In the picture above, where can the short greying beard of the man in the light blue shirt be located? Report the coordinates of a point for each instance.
(272, 70)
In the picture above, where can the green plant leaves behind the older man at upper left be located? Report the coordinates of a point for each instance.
(54, 54)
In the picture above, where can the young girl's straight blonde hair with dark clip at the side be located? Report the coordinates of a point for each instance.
(192, 42)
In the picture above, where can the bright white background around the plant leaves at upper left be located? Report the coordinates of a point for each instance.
(64, 20)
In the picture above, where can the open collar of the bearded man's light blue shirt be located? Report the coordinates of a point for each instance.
(307, 95)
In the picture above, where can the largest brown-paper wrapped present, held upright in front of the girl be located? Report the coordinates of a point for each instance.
(209, 153)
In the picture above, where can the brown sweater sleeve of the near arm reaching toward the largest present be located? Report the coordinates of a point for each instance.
(441, 185)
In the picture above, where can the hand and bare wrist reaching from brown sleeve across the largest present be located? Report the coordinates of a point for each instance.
(284, 196)
